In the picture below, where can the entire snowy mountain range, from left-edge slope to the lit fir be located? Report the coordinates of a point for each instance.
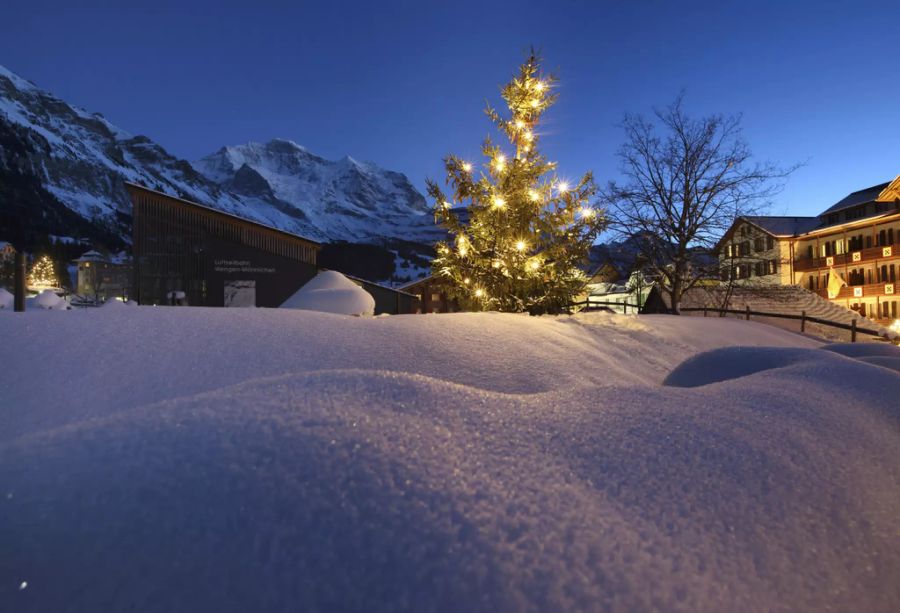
(81, 160)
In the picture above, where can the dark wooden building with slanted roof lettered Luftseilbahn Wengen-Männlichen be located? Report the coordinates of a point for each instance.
(215, 258)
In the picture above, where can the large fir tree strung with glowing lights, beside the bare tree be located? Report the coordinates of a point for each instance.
(528, 230)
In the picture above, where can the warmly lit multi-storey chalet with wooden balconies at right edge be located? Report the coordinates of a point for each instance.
(857, 239)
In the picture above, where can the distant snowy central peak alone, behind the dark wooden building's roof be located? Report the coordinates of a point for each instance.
(343, 199)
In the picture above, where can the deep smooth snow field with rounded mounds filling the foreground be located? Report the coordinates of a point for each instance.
(166, 459)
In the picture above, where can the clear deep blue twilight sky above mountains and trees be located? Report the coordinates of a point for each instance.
(404, 83)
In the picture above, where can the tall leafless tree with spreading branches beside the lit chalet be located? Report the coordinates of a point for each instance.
(684, 183)
